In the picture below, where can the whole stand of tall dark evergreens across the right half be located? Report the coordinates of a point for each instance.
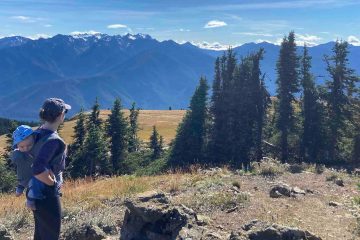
(304, 122)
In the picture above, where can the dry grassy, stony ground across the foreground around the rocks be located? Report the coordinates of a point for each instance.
(212, 195)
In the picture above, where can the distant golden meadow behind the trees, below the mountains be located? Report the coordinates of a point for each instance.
(166, 122)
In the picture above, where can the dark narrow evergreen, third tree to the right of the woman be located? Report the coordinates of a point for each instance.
(117, 129)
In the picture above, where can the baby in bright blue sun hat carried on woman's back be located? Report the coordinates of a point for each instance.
(23, 141)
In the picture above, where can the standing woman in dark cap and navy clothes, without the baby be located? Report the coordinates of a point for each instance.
(49, 163)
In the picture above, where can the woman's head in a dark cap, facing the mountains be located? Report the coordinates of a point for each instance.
(53, 110)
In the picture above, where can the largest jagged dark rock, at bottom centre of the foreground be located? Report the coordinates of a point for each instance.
(151, 216)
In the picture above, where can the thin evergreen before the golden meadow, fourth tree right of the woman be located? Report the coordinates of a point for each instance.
(134, 142)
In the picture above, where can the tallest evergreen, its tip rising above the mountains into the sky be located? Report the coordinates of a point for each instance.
(287, 86)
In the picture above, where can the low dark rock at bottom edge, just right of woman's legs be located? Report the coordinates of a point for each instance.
(84, 232)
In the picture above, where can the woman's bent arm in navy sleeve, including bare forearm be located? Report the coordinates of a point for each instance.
(40, 171)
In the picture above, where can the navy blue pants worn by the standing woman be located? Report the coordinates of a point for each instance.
(47, 218)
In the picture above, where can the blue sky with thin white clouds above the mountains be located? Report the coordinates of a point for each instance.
(226, 22)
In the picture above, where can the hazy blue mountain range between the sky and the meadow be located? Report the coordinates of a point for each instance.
(154, 74)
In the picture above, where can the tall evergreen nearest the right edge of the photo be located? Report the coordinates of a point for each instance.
(339, 96)
